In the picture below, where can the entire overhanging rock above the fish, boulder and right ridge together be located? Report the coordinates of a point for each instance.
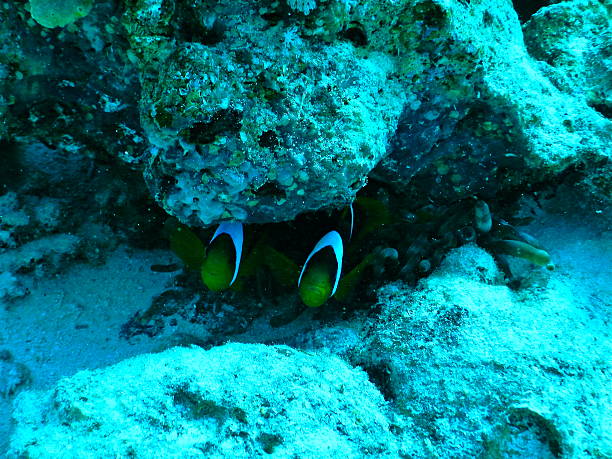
(258, 89)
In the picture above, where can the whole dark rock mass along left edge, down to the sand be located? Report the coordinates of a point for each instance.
(68, 103)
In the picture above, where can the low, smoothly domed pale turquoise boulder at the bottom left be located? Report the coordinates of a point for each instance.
(236, 400)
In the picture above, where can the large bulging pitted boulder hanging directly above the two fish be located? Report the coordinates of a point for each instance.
(256, 113)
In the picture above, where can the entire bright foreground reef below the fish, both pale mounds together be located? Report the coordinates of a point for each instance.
(460, 365)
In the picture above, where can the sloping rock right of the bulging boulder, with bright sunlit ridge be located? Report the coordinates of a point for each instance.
(489, 117)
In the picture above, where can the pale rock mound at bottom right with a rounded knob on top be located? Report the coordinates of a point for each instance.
(482, 371)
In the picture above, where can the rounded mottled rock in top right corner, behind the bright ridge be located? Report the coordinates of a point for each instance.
(571, 41)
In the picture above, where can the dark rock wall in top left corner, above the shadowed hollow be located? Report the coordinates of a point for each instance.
(71, 89)
